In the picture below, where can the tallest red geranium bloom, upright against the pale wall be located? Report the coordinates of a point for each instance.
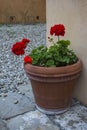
(58, 30)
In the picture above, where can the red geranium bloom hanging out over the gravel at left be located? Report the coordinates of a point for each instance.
(18, 47)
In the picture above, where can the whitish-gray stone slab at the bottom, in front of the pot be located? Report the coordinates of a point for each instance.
(33, 120)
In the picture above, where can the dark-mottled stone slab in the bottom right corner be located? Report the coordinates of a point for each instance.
(74, 119)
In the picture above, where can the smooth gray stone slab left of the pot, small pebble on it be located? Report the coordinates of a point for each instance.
(14, 104)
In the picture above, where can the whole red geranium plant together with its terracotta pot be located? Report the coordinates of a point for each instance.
(52, 71)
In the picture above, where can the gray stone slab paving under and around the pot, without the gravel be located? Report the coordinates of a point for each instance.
(18, 112)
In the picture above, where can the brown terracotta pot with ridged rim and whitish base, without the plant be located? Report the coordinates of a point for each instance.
(53, 86)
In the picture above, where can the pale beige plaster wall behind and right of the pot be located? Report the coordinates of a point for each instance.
(73, 14)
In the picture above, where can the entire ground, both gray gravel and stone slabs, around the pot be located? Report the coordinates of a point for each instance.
(17, 105)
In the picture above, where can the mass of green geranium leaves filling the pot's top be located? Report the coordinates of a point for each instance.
(57, 55)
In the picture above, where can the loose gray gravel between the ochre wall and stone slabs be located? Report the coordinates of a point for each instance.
(11, 66)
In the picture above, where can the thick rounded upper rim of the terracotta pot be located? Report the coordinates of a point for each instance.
(43, 71)
